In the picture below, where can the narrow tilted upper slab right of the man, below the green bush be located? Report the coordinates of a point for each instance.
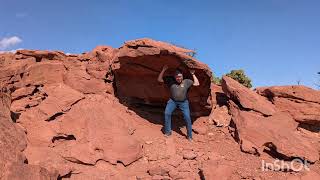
(246, 98)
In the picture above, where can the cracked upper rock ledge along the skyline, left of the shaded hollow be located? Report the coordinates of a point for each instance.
(88, 73)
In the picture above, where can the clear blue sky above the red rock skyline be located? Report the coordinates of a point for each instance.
(276, 42)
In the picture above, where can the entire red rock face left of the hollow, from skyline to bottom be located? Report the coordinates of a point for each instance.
(64, 106)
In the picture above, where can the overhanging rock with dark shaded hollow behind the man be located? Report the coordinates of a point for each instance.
(140, 63)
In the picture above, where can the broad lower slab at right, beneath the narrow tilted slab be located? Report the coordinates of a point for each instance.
(274, 134)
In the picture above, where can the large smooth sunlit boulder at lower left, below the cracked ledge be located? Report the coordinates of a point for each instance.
(95, 128)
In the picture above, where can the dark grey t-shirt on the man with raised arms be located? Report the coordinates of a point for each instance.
(178, 91)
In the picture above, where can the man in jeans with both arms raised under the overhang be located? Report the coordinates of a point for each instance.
(178, 90)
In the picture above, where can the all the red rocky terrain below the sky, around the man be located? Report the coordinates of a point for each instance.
(99, 115)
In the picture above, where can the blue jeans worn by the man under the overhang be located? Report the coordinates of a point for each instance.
(184, 107)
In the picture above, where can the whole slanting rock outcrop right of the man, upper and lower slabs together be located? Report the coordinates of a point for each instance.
(275, 134)
